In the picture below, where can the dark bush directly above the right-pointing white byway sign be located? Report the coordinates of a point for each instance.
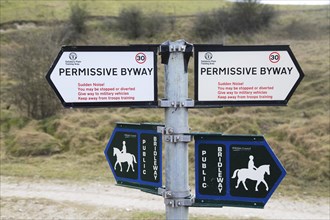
(245, 17)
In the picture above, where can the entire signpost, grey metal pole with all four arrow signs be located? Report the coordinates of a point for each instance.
(231, 170)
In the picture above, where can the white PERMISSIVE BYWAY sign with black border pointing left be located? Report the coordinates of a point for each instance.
(105, 76)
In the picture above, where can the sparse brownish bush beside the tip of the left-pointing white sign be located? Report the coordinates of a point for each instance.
(28, 62)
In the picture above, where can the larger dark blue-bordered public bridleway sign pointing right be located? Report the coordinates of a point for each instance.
(235, 170)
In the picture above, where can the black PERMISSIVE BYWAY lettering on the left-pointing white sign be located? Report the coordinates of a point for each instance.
(105, 71)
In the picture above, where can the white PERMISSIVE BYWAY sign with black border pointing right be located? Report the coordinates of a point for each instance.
(245, 75)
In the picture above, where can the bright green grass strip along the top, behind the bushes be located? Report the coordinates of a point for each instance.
(59, 10)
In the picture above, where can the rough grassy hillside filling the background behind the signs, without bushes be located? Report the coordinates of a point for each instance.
(74, 139)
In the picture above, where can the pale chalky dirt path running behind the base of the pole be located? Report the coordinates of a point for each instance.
(41, 199)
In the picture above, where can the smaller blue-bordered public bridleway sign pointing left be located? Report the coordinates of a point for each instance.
(134, 154)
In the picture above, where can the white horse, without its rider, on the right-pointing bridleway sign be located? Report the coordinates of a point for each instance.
(257, 175)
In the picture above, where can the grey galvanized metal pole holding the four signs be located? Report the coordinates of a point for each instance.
(176, 126)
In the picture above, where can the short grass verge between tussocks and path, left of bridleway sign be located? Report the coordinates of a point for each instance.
(67, 167)
